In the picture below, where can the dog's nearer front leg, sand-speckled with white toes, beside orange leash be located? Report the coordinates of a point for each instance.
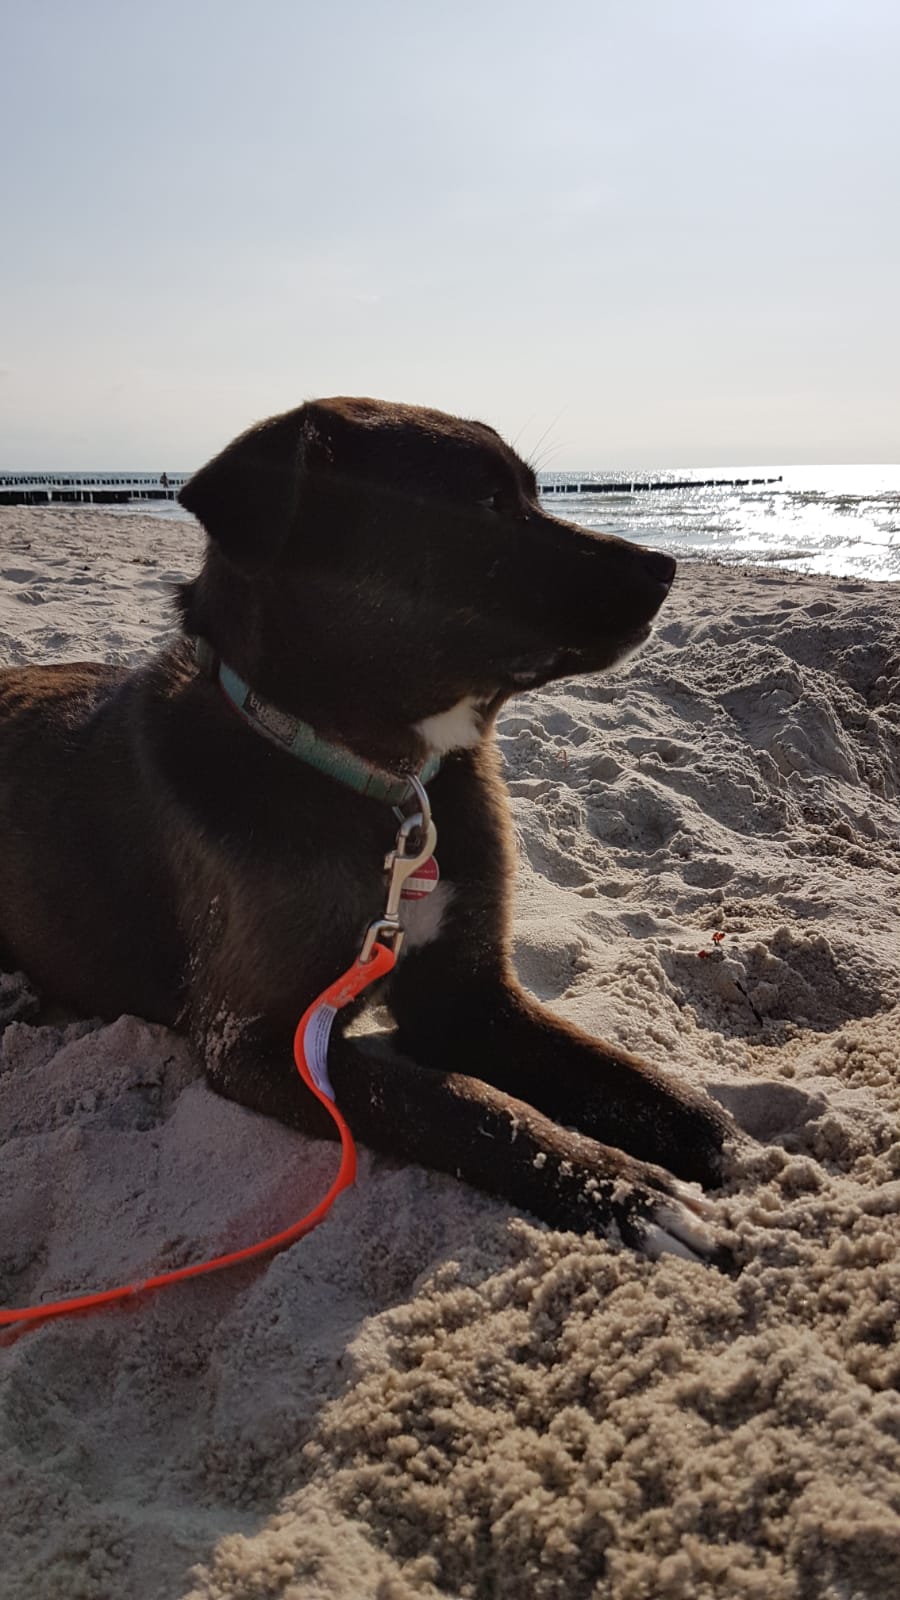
(456, 1124)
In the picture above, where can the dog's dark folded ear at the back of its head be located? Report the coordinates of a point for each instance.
(249, 495)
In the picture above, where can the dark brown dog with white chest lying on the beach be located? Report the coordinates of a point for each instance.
(385, 575)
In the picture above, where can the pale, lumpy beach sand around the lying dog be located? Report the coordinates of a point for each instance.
(433, 1394)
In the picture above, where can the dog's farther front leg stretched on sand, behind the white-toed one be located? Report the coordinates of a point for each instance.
(481, 1022)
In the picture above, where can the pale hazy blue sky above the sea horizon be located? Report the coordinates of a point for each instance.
(625, 233)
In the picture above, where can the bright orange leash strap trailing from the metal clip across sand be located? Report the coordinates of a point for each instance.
(310, 1054)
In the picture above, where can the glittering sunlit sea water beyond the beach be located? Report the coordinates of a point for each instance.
(834, 521)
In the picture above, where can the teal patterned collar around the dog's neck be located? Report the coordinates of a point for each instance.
(300, 740)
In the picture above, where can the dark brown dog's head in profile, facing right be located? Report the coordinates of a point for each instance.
(377, 562)
